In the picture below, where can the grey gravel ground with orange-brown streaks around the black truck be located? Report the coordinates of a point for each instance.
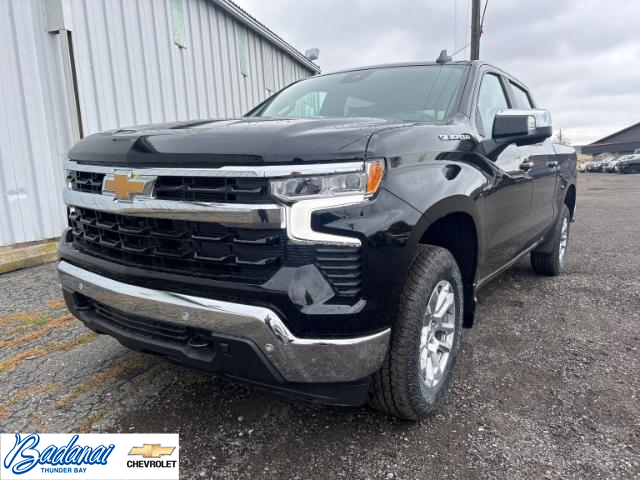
(546, 386)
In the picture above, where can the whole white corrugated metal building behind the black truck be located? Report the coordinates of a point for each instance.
(69, 68)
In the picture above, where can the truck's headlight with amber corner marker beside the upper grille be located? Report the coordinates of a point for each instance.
(364, 182)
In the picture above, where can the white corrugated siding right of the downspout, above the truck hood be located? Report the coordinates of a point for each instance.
(130, 72)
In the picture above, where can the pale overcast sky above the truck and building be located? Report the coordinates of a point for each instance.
(580, 58)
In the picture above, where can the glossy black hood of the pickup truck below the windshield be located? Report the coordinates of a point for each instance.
(245, 141)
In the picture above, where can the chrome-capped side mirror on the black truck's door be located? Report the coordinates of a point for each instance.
(522, 127)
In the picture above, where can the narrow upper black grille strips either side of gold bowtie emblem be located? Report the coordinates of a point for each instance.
(188, 189)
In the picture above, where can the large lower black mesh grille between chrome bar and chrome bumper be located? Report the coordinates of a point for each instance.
(178, 246)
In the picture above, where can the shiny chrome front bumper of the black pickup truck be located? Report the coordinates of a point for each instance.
(296, 359)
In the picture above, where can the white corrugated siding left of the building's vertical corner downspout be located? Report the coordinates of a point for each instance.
(34, 132)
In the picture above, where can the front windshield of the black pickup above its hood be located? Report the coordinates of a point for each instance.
(414, 93)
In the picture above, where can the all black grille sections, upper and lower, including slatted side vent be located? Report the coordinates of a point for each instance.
(208, 250)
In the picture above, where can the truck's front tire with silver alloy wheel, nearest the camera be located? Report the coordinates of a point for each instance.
(407, 385)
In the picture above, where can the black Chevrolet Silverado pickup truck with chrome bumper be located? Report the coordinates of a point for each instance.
(330, 243)
